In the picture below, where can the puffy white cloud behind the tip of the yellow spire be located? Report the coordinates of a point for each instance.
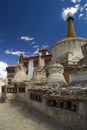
(72, 10)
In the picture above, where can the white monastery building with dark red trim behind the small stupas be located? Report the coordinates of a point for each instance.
(30, 63)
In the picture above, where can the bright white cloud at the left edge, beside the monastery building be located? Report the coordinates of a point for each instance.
(3, 72)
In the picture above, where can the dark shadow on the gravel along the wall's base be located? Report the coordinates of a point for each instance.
(39, 118)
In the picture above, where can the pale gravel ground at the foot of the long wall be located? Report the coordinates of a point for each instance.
(16, 116)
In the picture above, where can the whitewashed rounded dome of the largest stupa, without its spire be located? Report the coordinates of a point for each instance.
(69, 45)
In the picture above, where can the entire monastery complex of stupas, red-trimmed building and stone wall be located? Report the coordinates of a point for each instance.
(53, 83)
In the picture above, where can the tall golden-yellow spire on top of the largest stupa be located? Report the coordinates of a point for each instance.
(71, 31)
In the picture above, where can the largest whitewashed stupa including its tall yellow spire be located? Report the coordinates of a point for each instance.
(68, 50)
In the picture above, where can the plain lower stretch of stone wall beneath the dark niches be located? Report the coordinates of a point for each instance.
(69, 120)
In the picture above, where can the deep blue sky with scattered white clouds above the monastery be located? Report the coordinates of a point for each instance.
(27, 25)
